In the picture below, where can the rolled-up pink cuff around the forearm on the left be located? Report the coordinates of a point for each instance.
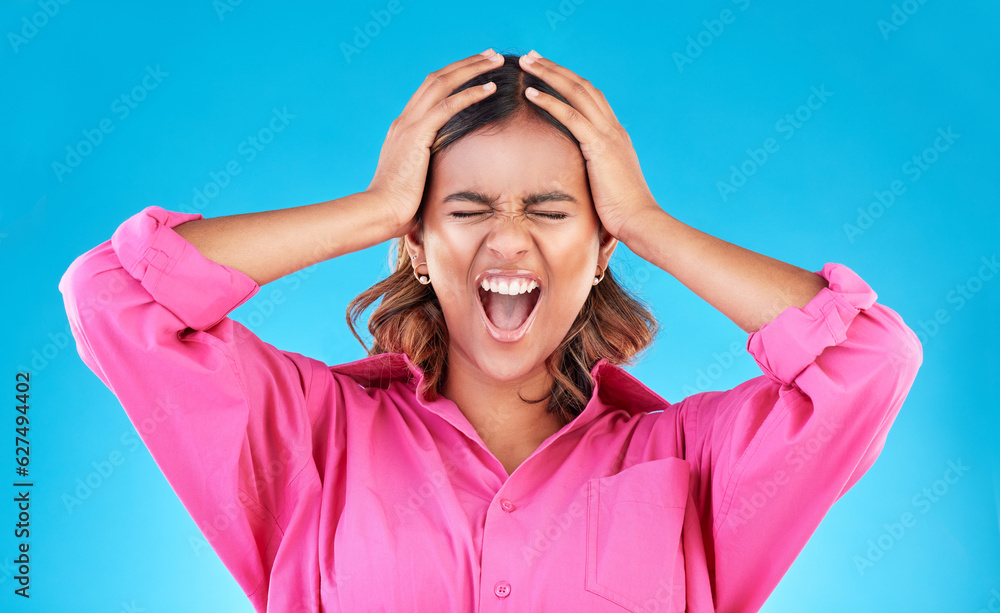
(199, 291)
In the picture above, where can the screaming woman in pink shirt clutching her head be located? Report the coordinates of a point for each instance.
(490, 454)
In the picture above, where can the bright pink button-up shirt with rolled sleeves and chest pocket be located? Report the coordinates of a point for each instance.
(338, 488)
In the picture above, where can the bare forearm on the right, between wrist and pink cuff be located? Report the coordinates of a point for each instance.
(749, 288)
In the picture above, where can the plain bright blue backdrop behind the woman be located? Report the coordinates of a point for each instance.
(693, 108)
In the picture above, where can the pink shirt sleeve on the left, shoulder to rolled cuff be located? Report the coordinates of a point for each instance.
(222, 413)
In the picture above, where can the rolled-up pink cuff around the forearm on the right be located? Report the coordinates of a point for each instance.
(788, 344)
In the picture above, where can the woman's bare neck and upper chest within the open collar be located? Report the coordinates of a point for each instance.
(510, 428)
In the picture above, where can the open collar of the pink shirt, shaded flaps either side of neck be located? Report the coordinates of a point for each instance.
(614, 387)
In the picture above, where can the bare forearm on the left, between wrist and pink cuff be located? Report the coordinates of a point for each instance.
(271, 244)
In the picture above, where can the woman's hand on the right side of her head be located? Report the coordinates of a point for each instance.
(617, 186)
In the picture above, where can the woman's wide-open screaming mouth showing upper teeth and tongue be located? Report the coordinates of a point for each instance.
(509, 306)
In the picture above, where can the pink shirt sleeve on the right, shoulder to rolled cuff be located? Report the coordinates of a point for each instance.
(773, 454)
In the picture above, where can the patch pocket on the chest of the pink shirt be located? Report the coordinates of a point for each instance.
(634, 520)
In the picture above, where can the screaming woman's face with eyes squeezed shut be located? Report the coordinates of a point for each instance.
(513, 209)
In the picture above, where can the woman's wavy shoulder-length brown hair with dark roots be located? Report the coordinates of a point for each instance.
(612, 323)
